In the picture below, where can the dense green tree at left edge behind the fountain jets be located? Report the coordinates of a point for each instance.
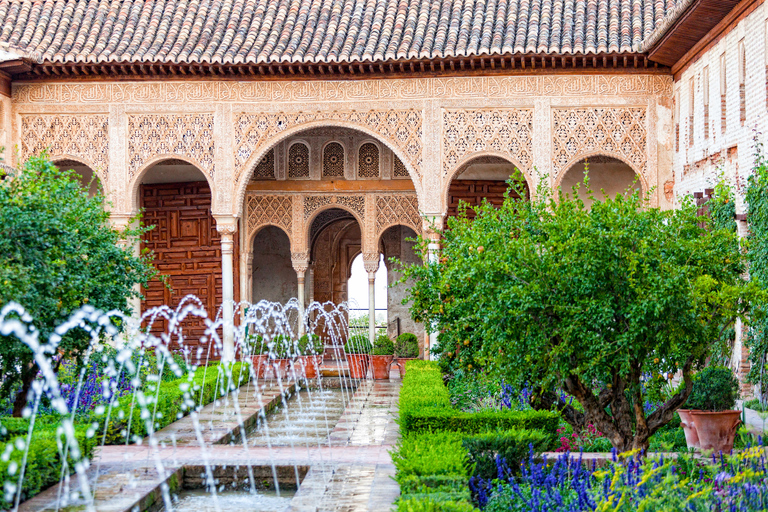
(58, 253)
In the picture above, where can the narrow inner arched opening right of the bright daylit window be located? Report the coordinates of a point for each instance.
(399, 242)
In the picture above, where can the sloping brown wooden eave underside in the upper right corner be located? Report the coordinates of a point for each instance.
(691, 27)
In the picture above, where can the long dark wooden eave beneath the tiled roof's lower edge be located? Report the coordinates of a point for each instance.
(466, 66)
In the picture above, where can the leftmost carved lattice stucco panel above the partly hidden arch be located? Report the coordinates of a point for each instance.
(81, 137)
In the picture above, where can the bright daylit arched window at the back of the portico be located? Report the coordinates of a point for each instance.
(358, 297)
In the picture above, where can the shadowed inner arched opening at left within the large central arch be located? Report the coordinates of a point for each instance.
(274, 278)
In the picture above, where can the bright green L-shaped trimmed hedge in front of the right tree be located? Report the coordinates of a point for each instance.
(425, 405)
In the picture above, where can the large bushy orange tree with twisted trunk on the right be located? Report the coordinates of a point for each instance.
(589, 300)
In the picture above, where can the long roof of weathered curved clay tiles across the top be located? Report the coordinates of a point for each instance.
(319, 31)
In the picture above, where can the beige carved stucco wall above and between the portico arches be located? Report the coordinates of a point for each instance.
(237, 122)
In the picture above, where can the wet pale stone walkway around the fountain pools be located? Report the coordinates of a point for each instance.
(350, 471)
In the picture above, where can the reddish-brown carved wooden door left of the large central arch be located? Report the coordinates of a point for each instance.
(187, 249)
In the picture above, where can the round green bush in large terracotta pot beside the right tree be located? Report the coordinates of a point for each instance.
(711, 407)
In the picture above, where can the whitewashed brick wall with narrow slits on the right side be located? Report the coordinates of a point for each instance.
(735, 69)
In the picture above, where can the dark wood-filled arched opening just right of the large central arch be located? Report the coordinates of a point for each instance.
(483, 178)
